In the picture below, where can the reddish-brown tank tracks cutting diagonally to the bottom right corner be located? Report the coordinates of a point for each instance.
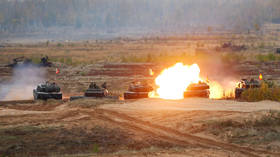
(173, 136)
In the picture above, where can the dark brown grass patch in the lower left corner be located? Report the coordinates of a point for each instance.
(39, 141)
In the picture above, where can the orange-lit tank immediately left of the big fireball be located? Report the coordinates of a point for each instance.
(138, 90)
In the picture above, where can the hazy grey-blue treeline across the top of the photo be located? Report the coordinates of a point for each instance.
(106, 15)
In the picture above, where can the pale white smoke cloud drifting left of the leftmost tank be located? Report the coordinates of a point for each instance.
(24, 80)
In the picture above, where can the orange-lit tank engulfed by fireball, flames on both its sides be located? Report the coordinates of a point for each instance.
(200, 89)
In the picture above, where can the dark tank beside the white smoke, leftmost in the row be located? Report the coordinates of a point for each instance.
(47, 91)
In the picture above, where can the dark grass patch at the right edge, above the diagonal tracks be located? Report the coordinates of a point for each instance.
(260, 128)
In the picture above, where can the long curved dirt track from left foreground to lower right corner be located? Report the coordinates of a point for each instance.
(154, 131)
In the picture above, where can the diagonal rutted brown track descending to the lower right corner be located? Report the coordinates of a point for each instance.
(171, 134)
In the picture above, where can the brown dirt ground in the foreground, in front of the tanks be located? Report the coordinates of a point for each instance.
(189, 127)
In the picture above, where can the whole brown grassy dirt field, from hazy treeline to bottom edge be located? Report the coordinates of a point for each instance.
(147, 127)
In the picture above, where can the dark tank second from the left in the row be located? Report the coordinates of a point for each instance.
(96, 91)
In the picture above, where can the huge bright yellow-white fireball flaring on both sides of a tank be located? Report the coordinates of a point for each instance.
(174, 81)
